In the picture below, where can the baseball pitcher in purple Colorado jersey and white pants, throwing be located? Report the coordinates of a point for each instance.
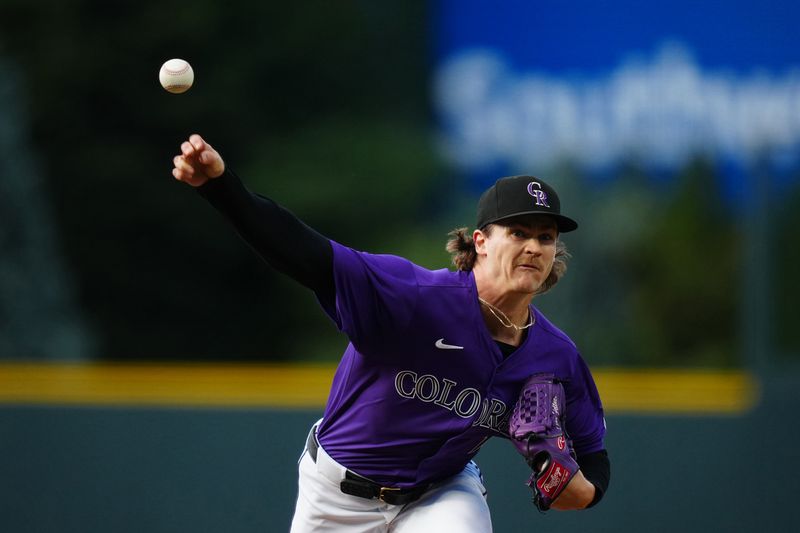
(438, 362)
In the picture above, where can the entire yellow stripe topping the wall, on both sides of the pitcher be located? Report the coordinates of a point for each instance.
(651, 391)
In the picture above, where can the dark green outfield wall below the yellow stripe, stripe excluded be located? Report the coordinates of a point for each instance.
(164, 470)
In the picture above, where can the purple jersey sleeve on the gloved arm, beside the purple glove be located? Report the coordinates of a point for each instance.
(585, 419)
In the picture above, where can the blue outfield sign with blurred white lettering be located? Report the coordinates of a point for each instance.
(527, 84)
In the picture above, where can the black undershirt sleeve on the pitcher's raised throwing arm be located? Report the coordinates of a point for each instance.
(276, 235)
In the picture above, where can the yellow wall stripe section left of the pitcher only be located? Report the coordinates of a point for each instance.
(212, 385)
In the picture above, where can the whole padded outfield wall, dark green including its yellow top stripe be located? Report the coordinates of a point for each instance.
(123, 449)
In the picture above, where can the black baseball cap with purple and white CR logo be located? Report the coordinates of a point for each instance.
(521, 195)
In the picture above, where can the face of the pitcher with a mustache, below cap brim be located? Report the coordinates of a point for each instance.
(519, 254)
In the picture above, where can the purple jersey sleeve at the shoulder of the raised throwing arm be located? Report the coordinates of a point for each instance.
(375, 296)
